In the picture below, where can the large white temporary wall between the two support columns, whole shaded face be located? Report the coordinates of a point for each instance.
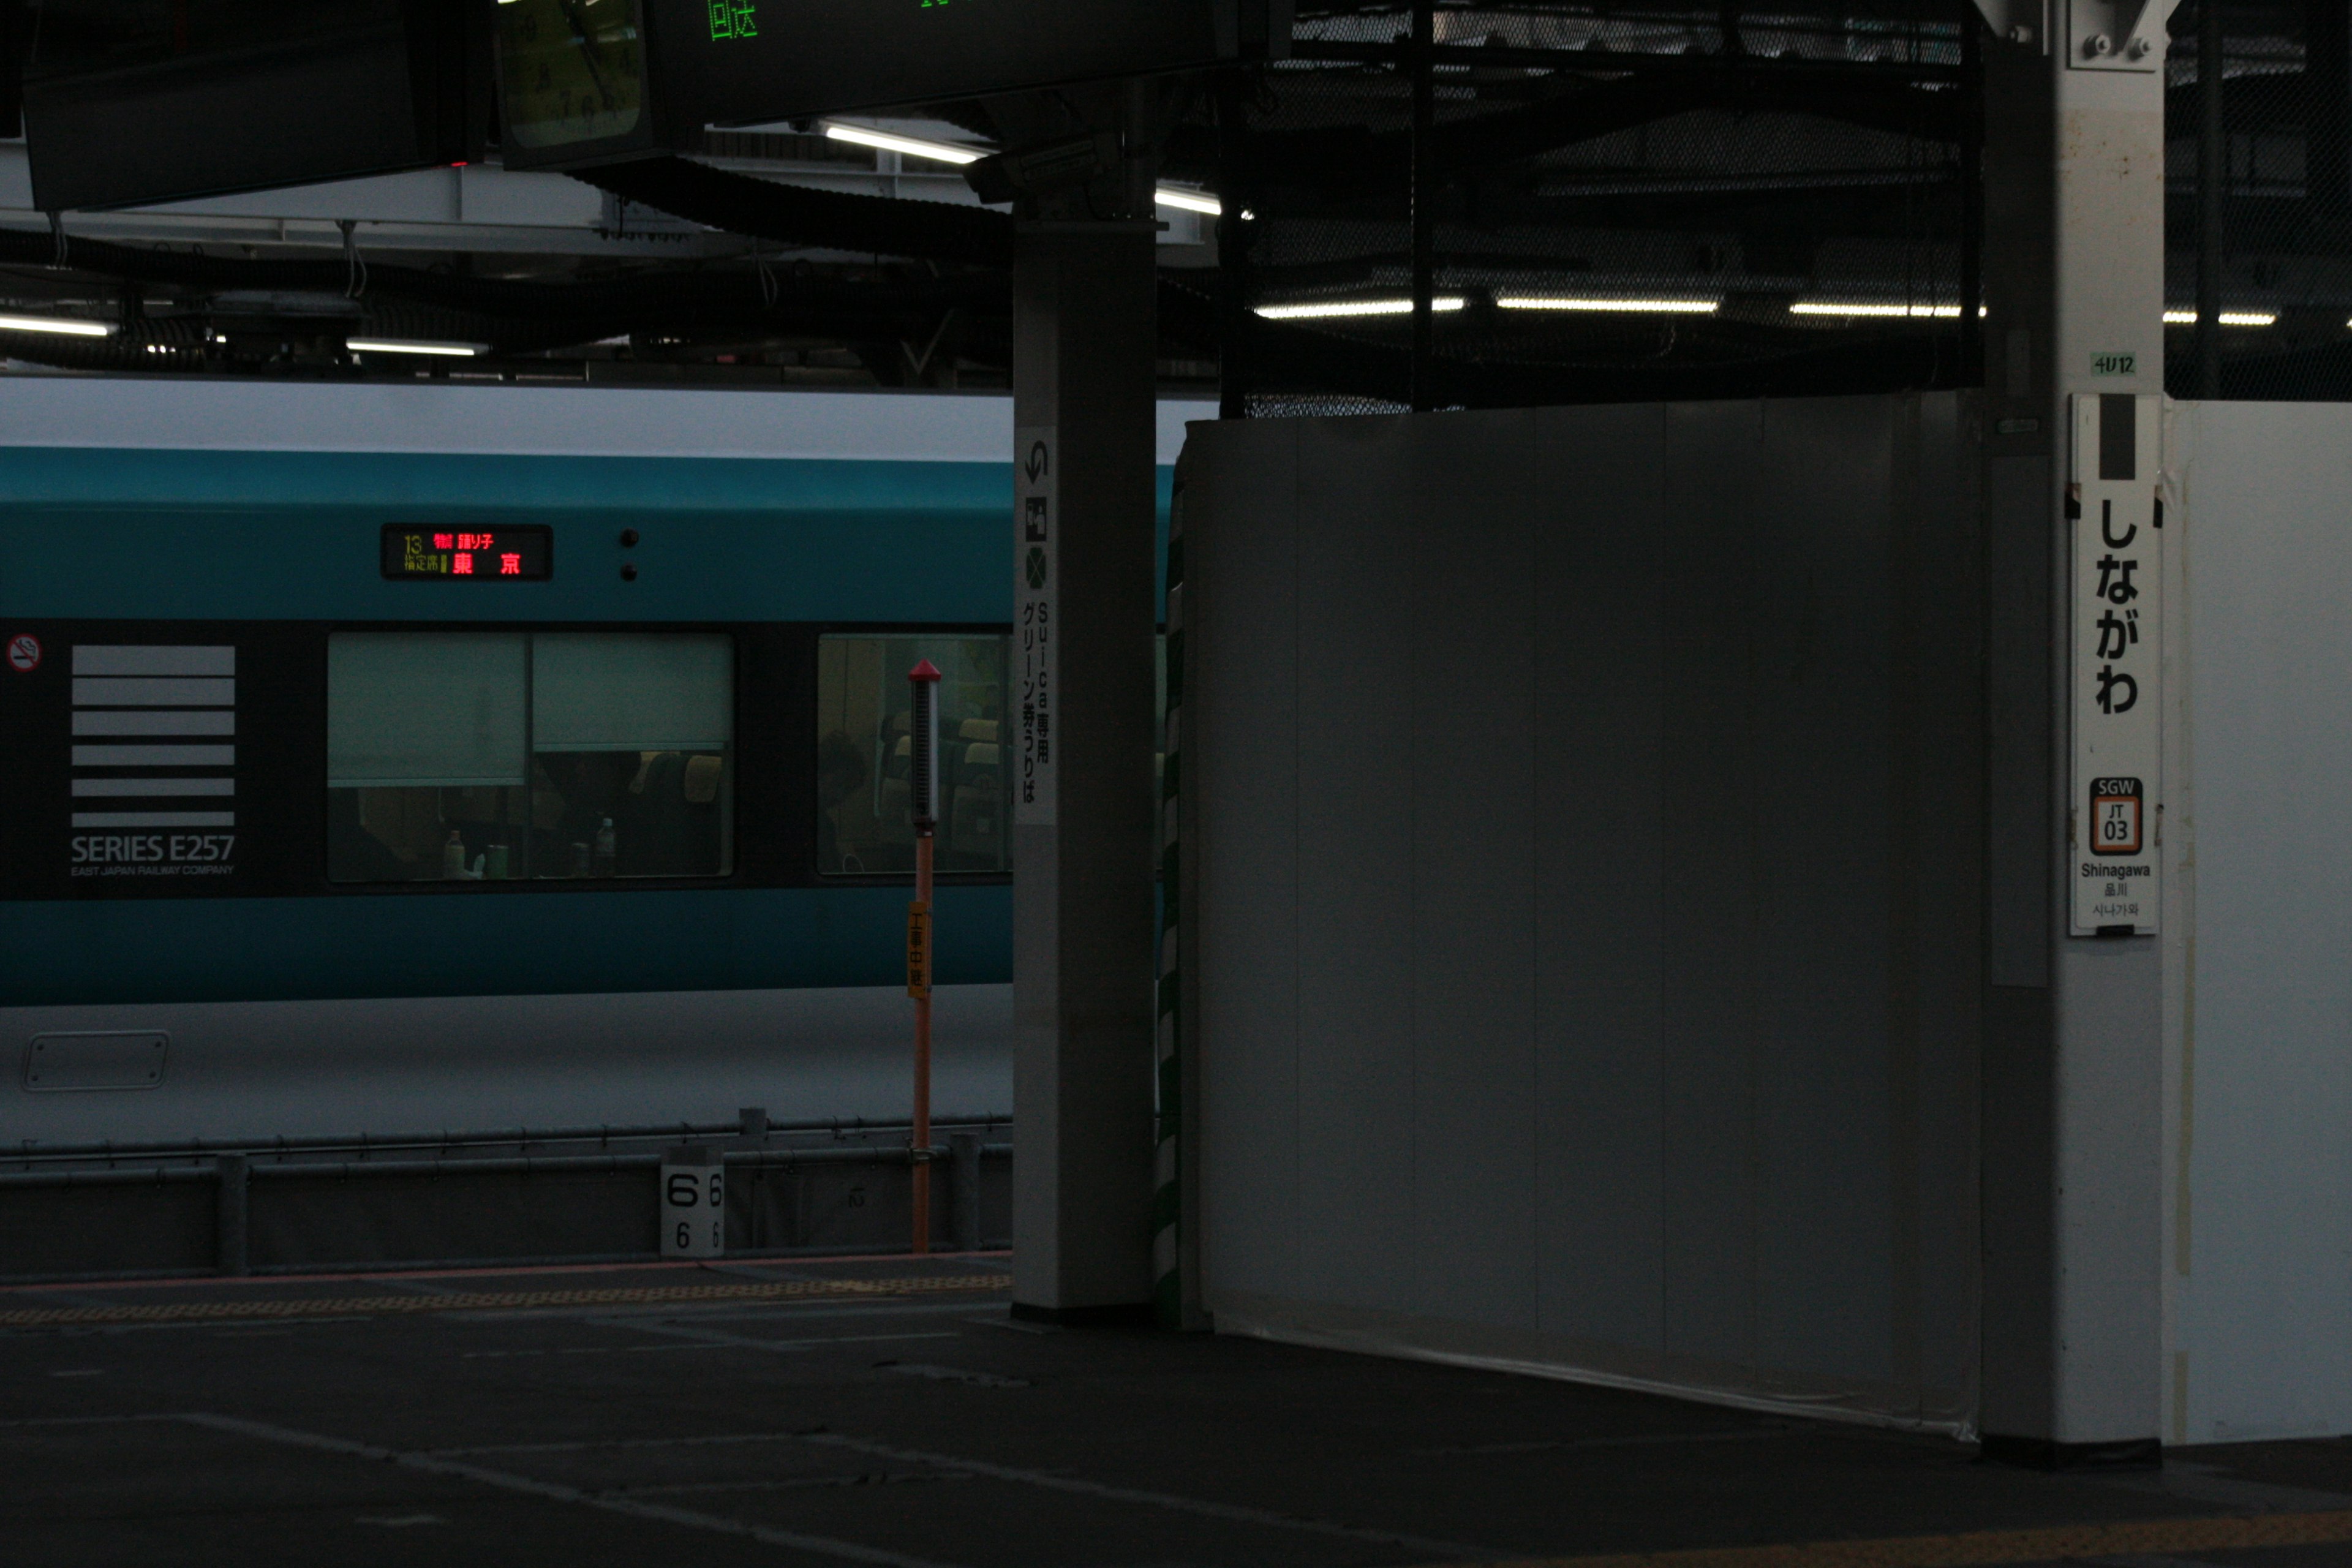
(1575, 805)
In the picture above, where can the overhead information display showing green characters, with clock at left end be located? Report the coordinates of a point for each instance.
(599, 81)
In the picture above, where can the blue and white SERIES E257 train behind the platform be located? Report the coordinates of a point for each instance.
(434, 758)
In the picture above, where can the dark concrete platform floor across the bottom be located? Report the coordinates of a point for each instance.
(890, 1412)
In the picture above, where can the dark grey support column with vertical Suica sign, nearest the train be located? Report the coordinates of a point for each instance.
(1083, 810)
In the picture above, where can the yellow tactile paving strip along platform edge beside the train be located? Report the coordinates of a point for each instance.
(493, 1301)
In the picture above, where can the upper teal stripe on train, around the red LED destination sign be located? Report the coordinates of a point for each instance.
(293, 537)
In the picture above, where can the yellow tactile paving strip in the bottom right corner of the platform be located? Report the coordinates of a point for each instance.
(1982, 1548)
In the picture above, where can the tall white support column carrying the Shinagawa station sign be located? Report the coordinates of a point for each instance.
(2073, 1043)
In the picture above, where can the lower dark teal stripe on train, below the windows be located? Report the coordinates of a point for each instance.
(483, 946)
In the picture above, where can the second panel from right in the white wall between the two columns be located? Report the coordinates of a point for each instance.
(1824, 615)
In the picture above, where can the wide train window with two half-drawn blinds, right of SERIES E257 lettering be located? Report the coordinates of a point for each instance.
(505, 756)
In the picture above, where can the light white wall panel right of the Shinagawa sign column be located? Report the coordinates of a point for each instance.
(2264, 1242)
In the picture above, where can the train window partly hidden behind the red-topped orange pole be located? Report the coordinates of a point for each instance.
(864, 753)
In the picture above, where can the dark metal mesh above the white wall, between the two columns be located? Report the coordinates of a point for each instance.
(1631, 199)
